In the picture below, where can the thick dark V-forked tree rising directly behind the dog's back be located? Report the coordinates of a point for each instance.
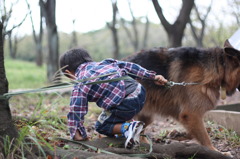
(175, 31)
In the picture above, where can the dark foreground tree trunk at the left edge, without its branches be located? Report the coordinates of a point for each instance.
(7, 127)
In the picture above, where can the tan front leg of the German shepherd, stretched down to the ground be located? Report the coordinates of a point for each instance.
(194, 124)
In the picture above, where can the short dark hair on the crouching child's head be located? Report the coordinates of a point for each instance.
(73, 58)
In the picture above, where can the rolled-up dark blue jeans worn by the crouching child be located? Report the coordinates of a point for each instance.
(130, 106)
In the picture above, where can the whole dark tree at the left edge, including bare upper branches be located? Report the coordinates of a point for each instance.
(7, 128)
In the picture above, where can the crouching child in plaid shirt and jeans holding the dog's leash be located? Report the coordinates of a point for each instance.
(121, 100)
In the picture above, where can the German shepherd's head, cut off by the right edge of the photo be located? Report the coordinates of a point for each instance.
(232, 69)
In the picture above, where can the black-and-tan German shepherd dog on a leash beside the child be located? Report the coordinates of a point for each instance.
(212, 69)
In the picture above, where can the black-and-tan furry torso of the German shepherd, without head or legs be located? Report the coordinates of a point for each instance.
(181, 65)
